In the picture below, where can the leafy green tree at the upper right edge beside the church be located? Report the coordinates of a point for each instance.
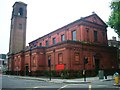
(114, 19)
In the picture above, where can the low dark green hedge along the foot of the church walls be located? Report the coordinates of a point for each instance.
(63, 74)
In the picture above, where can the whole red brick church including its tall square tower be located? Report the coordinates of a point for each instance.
(80, 45)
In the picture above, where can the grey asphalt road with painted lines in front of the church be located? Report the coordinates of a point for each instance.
(12, 83)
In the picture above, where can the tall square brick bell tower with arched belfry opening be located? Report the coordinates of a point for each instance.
(18, 28)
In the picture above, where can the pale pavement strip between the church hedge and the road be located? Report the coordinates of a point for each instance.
(59, 80)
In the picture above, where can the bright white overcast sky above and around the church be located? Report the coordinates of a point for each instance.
(44, 16)
